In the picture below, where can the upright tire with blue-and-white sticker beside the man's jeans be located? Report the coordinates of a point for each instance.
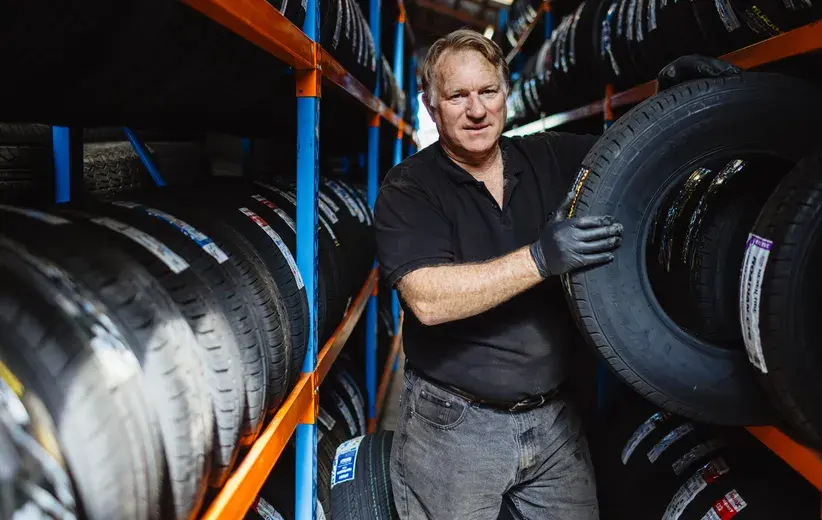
(366, 492)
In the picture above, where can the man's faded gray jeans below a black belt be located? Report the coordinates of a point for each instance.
(452, 460)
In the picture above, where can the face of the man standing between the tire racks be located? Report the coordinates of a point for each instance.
(470, 103)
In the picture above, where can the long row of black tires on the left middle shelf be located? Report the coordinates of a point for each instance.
(170, 322)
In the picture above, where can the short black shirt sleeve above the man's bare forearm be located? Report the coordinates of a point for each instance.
(411, 230)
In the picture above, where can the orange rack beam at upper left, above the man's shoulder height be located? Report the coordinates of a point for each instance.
(261, 24)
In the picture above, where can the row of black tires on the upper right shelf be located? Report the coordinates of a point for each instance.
(627, 42)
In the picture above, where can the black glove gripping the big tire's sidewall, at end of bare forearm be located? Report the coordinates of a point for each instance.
(568, 244)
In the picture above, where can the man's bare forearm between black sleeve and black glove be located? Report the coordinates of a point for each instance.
(452, 292)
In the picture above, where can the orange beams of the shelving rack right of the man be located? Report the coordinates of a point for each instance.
(802, 40)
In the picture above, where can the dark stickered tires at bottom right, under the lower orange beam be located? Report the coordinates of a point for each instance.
(652, 464)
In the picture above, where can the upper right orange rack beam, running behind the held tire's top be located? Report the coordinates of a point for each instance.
(793, 43)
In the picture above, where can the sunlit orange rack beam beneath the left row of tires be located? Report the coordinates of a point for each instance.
(238, 493)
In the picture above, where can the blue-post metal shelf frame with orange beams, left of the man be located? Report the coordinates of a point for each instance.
(261, 24)
